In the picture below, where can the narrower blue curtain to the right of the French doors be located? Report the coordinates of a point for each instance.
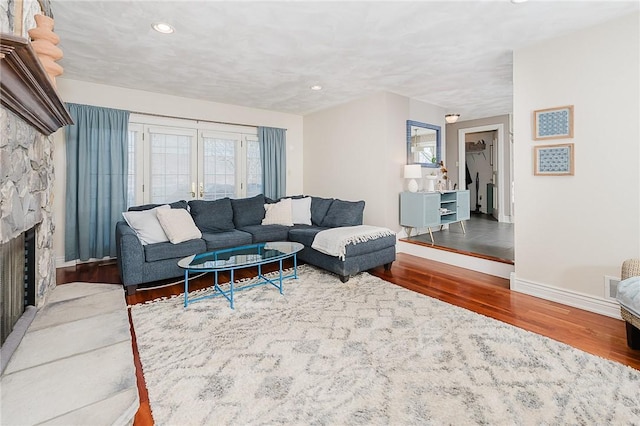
(273, 153)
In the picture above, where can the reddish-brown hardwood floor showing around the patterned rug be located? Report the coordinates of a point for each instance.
(481, 293)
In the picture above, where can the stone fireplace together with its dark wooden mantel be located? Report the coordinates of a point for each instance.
(30, 112)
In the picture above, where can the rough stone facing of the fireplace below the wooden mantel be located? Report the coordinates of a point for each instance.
(26, 183)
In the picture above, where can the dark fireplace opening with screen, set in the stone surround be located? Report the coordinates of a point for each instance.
(17, 279)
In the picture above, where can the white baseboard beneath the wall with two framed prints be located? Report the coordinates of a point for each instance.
(598, 305)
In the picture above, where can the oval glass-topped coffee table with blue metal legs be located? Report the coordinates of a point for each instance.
(234, 258)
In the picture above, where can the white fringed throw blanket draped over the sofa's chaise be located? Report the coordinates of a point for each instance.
(334, 241)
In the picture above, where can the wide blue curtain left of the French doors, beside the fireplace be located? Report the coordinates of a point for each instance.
(97, 156)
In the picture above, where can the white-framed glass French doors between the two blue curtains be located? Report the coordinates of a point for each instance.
(206, 162)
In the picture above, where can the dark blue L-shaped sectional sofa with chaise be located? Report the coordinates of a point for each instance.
(234, 222)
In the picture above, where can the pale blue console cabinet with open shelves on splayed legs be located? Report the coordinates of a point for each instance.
(429, 209)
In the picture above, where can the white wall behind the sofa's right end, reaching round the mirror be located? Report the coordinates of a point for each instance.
(357, 151)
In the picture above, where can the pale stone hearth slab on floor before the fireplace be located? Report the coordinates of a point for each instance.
(74, 365)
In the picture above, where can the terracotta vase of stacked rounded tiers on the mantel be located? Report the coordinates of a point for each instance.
(44, 42)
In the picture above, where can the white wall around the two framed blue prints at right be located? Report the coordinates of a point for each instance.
(573, 230)
